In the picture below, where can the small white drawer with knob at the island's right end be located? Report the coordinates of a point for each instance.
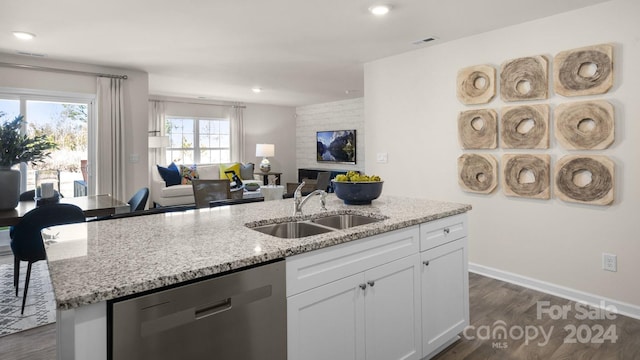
(442, 231)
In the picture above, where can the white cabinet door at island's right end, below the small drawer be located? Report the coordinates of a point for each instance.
(445, 294)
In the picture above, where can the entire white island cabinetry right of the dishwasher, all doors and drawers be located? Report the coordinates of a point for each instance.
(398, 295)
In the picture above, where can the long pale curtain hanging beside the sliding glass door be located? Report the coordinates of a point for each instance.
(111, 139)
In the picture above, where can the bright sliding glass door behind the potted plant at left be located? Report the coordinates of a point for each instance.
(68, 121)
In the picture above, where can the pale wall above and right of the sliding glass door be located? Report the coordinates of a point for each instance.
(136, 90)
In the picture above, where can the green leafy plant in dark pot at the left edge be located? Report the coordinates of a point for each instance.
(14, 149)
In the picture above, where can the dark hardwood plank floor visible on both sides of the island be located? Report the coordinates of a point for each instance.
(493, 304)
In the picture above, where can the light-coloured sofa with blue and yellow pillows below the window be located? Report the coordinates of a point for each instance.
(182, 194)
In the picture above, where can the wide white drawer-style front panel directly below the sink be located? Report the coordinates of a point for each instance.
(309, 270)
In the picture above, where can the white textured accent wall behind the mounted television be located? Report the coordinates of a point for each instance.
(337, 115)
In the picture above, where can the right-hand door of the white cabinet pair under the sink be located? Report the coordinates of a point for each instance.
(392, 310)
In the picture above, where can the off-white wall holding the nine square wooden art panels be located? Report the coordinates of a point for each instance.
(411, 112)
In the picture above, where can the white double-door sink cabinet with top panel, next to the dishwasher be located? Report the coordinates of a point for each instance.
(371, 314)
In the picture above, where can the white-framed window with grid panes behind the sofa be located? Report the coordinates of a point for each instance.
(198, 140)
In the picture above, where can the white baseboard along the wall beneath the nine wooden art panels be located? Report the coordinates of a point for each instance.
(622, 308)
